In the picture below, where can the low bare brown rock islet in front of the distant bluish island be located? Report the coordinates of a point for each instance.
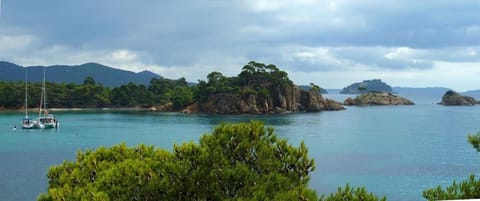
(377, 99)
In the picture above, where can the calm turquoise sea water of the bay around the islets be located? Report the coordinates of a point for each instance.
(393, 151)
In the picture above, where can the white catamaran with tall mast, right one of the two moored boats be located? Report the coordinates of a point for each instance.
(45, 120)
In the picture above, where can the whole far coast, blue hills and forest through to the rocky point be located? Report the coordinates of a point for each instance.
(258, 89)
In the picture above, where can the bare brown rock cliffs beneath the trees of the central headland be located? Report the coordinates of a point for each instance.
(287, 99)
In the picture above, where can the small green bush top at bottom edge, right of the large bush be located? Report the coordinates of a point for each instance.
(352, 194)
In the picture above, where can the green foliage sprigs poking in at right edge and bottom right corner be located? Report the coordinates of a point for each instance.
(467, 189)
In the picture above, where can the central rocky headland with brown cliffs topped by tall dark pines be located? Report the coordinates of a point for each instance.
(258, 89)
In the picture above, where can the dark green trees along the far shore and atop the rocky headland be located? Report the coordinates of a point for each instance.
(265, 82)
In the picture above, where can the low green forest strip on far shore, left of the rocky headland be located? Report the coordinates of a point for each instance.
(92, 94)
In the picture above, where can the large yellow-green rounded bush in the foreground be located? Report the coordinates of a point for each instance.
(235, 162)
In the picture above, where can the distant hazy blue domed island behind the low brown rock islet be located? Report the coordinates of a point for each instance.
(375, 85)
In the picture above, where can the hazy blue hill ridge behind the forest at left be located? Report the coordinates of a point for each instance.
(105, 75)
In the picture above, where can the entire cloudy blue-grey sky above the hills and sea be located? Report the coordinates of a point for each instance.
(331, 43)
